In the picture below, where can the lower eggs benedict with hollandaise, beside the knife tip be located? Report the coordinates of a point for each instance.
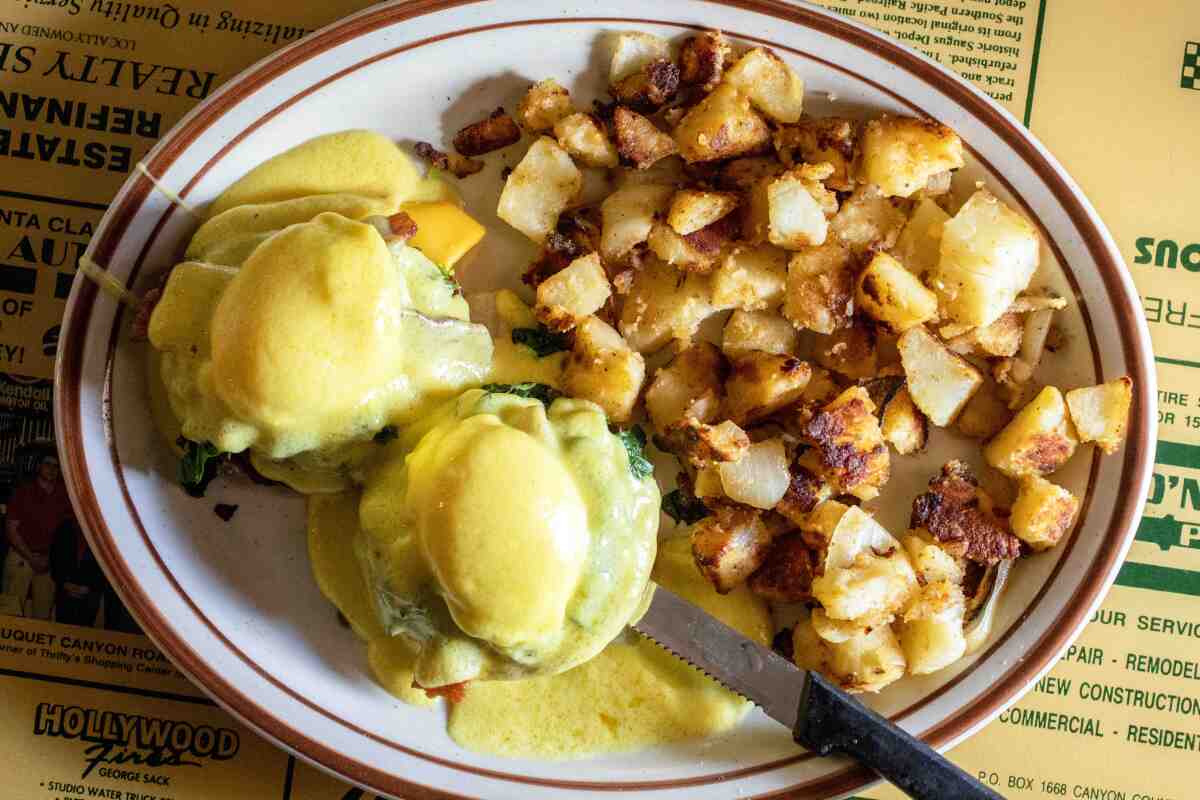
(507, 539)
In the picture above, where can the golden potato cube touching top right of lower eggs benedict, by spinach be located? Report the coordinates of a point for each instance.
(604, 370)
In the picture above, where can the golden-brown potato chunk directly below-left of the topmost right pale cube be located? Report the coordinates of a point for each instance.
(722, 127)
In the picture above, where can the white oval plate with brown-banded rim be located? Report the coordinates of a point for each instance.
(235, 605)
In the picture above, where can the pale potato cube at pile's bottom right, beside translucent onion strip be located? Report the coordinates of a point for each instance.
(932, 629)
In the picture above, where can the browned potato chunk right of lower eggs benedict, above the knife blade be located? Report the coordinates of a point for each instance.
(730, 545)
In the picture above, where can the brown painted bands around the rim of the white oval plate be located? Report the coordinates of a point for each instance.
(68, 400)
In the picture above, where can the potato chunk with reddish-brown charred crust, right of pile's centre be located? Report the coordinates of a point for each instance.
(850, 444)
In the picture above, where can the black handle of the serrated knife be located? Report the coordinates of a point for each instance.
(831, 721)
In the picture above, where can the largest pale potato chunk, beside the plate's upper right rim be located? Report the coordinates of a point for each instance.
(988, 256)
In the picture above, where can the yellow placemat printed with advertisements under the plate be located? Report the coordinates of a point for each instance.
(1114, 92)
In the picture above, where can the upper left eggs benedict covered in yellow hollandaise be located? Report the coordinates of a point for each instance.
(297, 333)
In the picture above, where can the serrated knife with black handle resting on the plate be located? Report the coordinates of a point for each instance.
(823, 718)
